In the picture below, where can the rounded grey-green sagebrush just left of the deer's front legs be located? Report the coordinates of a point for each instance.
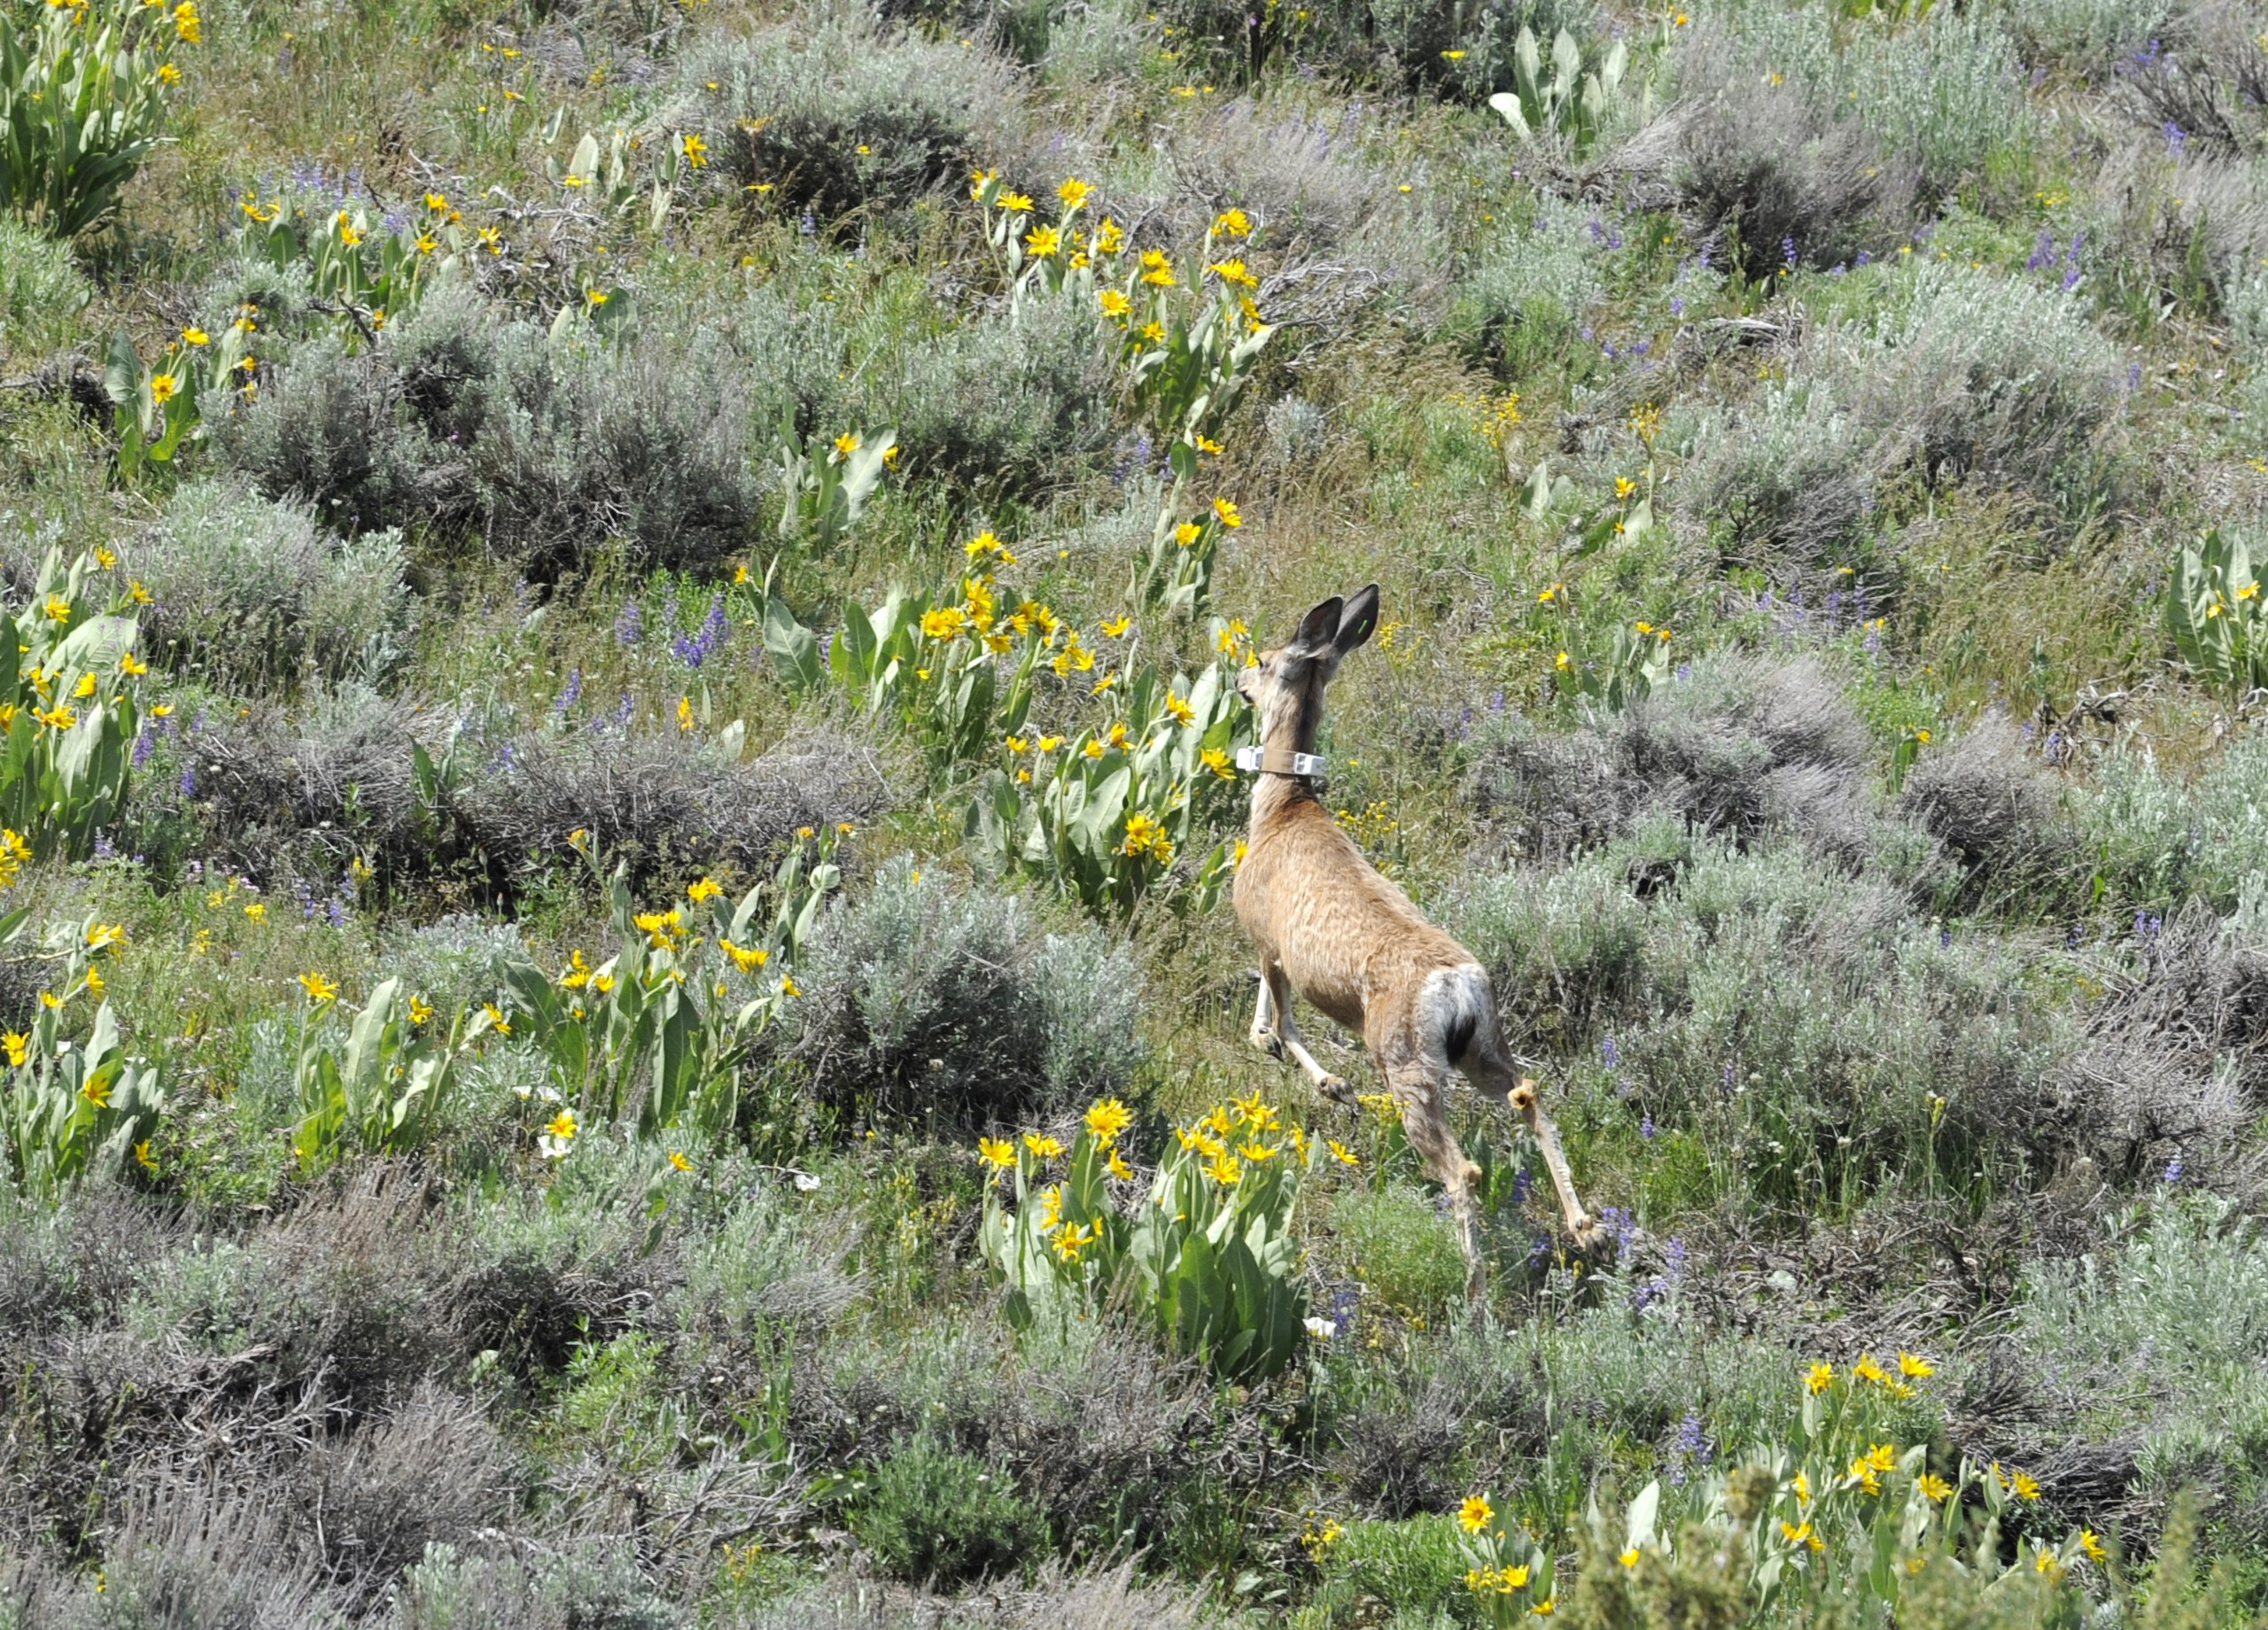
(942, 1001)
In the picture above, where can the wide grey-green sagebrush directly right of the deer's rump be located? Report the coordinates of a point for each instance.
(1809, 1021)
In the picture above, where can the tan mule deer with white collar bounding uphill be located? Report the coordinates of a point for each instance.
(1335, 931)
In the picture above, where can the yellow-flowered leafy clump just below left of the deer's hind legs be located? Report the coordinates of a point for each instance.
(1208, 1255)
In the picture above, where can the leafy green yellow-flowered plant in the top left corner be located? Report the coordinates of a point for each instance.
(83, 99)
